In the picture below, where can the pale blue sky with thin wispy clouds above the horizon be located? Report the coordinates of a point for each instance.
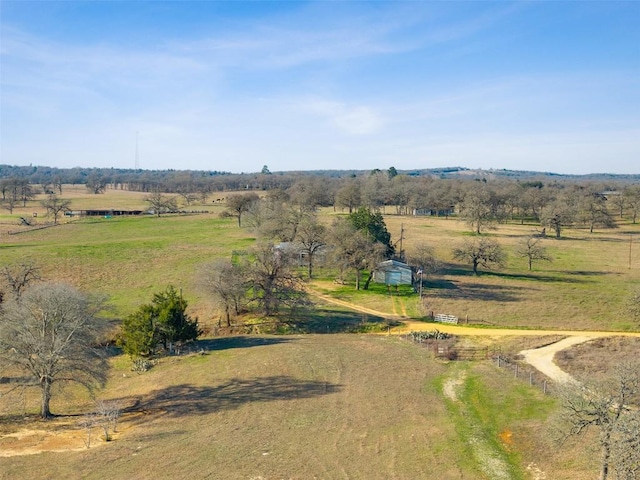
(232, 86)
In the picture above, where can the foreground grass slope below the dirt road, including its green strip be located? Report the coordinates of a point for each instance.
(303, 407)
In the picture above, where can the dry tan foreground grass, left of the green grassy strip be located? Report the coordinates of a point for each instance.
(293, 407)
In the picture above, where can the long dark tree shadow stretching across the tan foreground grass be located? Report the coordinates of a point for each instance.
(188, 399)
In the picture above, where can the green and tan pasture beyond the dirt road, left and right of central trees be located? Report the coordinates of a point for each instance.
(129, 258)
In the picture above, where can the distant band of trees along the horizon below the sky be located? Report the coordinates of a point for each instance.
(483, 198)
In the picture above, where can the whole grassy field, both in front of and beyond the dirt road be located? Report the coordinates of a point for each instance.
(330, 406)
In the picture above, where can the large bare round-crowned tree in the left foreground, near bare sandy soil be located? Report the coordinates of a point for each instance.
(51, 333)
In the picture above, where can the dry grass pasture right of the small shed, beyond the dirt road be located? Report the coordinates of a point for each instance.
(584, 288)
